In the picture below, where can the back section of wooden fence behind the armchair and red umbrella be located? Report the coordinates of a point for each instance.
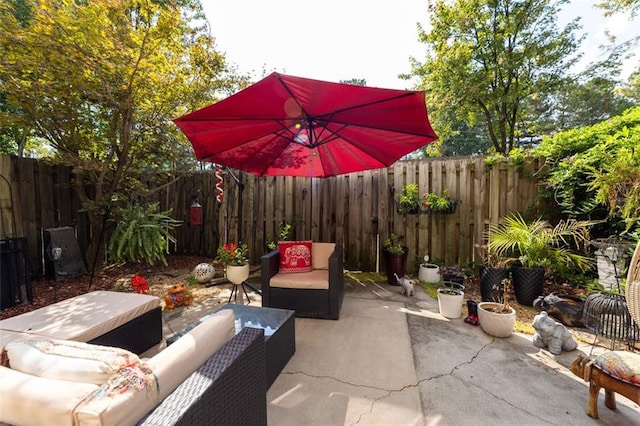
(357, 210)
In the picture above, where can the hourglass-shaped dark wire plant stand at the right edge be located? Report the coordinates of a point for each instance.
(606, 313)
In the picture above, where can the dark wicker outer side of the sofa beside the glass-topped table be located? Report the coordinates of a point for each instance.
(228, 389)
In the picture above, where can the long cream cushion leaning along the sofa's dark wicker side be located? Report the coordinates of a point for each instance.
(181, 358)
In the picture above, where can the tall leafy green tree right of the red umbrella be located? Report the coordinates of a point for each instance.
(486, 59)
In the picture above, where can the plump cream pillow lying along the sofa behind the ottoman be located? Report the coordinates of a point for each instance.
(68, 360)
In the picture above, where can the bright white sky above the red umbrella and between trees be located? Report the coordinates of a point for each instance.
(336, 40)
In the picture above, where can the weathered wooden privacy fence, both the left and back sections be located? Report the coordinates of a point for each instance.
(357, 211)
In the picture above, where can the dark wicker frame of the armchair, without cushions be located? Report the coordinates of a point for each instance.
(311, 303)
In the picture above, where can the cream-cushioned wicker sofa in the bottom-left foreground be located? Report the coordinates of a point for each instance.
(198, 379)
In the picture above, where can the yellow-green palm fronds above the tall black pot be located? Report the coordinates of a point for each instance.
(538, 244)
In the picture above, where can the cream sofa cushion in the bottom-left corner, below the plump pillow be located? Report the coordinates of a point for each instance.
(32, 400)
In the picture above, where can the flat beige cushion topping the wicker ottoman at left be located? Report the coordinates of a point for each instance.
(82, 318)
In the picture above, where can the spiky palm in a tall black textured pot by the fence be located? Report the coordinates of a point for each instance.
(538, 247)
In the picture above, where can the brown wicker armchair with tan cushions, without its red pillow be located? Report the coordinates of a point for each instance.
(315, 294)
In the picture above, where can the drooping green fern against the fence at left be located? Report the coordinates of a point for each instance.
(142, 234)
